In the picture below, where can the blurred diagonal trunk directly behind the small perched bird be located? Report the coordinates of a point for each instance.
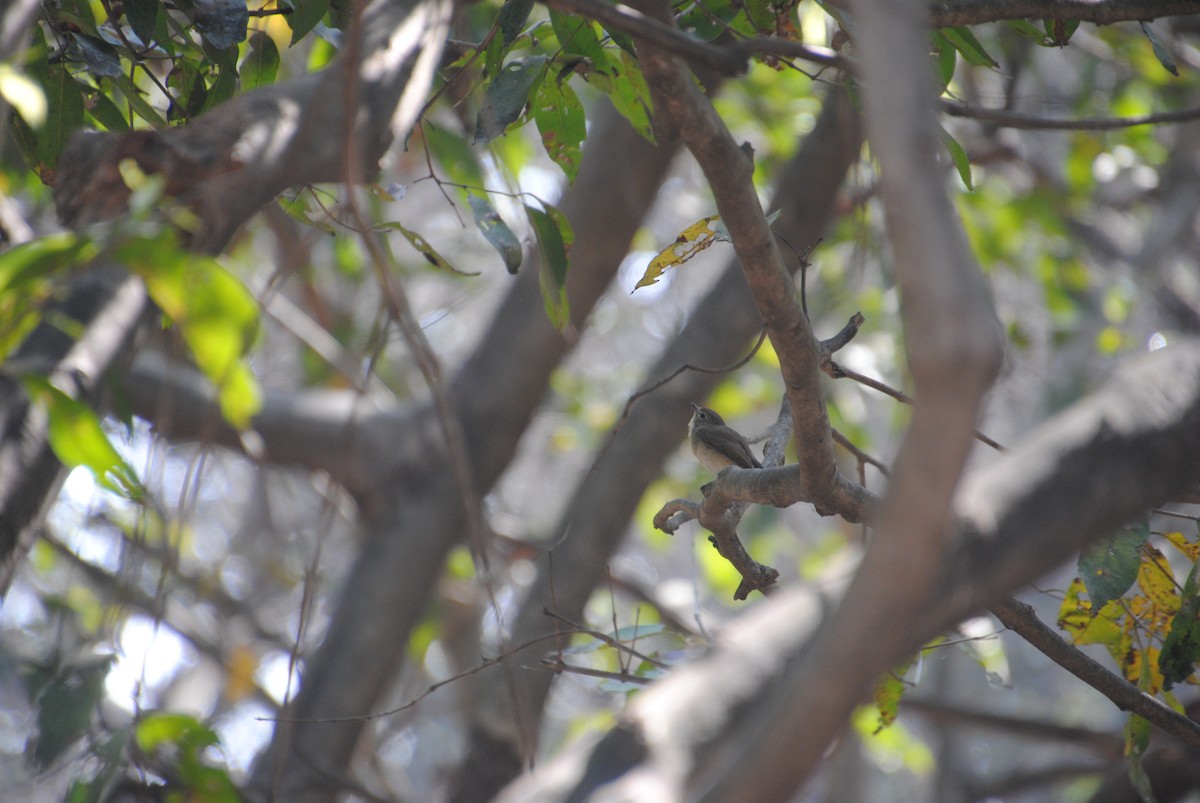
(596, 523)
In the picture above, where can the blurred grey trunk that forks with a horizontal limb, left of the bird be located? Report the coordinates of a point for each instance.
(419, 517)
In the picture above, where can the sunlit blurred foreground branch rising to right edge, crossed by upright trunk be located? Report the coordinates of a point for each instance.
(1096, 466)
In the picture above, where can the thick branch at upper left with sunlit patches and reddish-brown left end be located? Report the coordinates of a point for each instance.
(230, 163)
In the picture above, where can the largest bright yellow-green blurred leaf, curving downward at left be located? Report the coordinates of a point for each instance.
(215, 313)
